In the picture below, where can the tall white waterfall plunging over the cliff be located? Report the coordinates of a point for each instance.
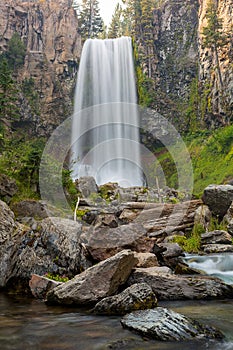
(105, 133)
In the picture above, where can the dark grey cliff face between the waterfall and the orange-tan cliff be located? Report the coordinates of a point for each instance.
(175, 55)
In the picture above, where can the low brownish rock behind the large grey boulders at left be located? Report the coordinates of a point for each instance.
(30, 208)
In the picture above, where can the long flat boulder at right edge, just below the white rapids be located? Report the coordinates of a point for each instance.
(175, 287)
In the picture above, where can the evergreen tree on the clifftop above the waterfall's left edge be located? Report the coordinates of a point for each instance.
(90, 22)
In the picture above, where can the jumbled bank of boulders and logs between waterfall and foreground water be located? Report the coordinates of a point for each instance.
(119, 256)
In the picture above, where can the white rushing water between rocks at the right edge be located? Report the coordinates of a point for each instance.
(216, 265)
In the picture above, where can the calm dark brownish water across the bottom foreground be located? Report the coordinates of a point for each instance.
(29, 324)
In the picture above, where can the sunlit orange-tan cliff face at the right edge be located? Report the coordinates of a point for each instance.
(220, 108)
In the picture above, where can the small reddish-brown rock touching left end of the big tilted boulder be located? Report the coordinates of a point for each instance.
(41, 285)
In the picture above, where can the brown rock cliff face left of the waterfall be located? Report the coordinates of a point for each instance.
(49, 31)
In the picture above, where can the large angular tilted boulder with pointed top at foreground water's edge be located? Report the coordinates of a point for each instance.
(97, 282)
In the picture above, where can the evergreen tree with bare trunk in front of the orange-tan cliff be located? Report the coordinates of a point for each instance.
(214, 37)
